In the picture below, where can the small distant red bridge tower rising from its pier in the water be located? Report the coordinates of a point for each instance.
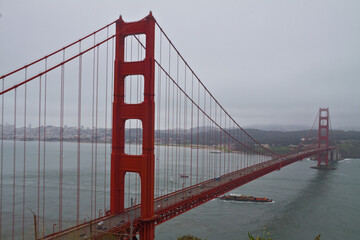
(323, 136)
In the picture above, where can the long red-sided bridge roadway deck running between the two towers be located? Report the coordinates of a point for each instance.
(176, 203)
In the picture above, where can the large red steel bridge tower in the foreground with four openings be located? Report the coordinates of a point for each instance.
(122, 163)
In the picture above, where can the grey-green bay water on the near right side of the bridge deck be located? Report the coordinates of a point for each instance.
(307, 202)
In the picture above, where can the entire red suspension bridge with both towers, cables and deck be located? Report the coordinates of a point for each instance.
(128, 88)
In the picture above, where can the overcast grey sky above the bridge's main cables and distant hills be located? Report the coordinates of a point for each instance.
(267, 62)
